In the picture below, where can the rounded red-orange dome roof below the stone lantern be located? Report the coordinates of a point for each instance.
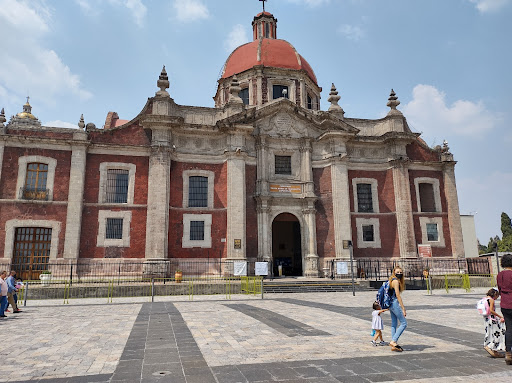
(267, 52)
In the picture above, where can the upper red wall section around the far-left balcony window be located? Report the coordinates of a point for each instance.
(10, 171)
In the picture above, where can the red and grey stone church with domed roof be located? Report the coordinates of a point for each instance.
(265, 174)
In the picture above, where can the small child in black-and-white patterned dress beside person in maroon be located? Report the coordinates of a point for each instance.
(494, 340)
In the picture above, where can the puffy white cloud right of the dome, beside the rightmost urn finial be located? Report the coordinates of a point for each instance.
(428, 112)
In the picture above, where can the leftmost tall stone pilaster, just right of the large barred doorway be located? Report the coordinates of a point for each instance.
(75, 198)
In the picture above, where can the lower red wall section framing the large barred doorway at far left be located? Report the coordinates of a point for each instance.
(33, 211)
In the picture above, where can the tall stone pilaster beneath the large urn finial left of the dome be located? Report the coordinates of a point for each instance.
(159, 179)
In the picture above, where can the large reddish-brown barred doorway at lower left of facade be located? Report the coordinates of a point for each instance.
(31, 251)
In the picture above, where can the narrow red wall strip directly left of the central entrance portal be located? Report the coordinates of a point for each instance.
(251, 212)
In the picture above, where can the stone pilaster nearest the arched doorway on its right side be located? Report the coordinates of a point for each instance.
(341, 207)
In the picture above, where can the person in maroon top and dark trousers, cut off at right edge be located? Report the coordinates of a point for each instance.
(504, 280)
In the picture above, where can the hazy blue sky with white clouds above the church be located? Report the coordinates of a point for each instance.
(449, 61)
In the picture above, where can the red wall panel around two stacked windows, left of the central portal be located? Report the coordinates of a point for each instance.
(219, 212)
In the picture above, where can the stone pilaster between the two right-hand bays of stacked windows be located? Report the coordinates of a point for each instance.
(403, 206)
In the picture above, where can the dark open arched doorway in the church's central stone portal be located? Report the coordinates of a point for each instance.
(287, 245)
